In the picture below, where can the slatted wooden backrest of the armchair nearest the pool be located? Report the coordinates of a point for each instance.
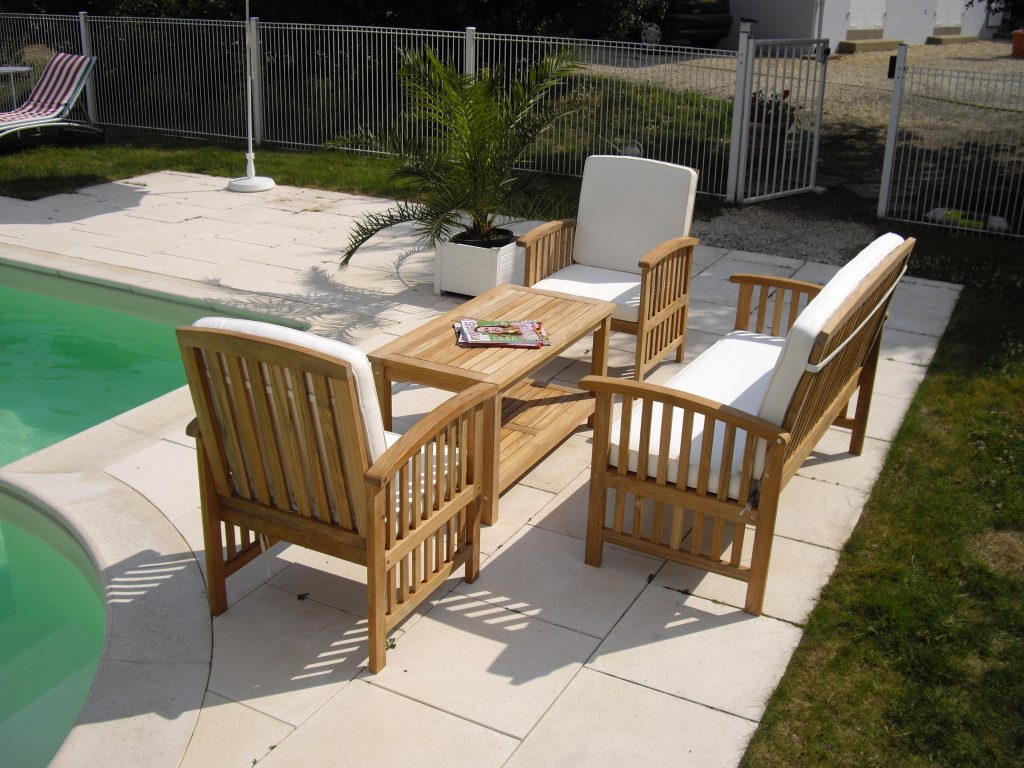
(280, 424)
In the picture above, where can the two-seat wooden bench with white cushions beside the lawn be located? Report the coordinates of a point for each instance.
(742, 419)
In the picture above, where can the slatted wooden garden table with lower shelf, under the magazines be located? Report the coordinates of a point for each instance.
(528, 418)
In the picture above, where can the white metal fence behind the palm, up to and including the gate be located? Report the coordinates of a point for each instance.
(318, 86)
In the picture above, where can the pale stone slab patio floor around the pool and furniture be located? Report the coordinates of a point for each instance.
(543, 662)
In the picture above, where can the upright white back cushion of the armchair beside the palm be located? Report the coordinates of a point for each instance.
(628, 206)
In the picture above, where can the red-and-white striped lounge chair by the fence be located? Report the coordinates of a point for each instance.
(53, 99)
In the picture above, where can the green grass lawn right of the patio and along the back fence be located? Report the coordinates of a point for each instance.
(915, 656)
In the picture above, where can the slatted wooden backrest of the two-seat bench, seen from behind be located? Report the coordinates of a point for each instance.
(840, 351)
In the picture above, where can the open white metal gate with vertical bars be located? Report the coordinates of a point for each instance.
(777, 127)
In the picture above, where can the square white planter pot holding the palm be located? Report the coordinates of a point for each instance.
(472, 271)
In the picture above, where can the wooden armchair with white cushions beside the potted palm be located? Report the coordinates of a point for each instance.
(629, 245)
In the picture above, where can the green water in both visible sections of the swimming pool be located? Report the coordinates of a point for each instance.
(72, 356)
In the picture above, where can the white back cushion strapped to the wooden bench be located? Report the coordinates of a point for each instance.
(801, 338)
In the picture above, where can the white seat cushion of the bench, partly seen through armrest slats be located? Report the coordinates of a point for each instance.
(737, 372)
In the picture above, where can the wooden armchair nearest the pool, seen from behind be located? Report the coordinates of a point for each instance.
(292, 447)
